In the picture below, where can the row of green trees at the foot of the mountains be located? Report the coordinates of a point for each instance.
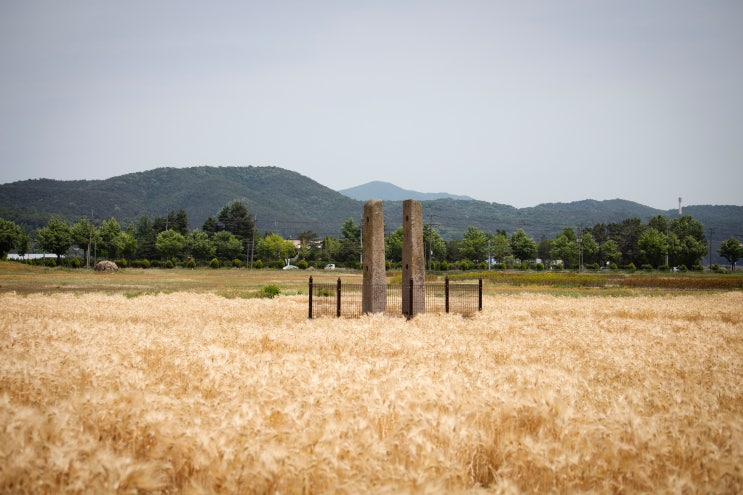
(231, 238)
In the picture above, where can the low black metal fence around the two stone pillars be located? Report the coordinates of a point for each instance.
(344, 299)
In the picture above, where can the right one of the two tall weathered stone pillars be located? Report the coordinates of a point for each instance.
(413, 259)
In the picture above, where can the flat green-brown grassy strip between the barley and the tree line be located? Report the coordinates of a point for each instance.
(24, 279)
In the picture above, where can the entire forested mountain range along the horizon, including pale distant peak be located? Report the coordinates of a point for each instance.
(289, 203)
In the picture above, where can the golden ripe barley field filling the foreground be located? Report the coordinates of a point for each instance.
(197, 393)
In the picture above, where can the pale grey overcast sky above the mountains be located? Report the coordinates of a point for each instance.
(514, 102)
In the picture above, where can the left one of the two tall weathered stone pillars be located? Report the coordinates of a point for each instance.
(374, 284)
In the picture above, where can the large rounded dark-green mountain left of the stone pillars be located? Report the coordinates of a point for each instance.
(283, 201)
